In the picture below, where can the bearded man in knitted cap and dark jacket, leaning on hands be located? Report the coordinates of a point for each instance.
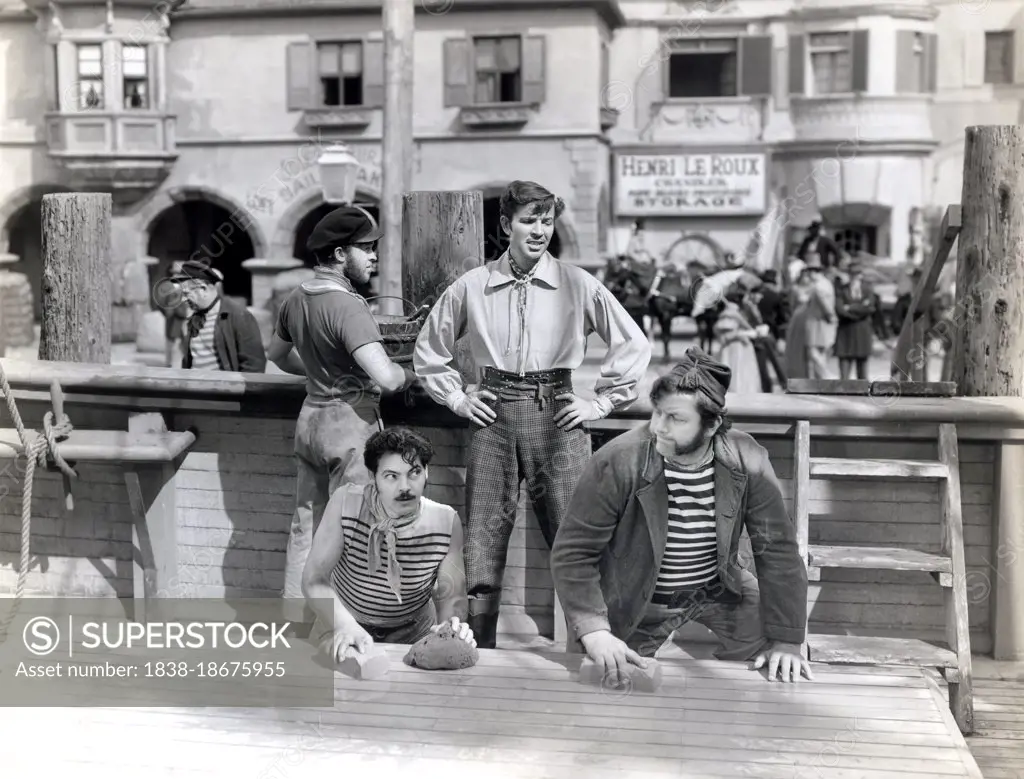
(652, 537)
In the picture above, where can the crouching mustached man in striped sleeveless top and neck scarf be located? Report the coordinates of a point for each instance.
(387, 564)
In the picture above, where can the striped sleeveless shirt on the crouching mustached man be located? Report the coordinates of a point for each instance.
(422, 547)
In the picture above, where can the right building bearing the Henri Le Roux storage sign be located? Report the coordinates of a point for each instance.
(742, 121)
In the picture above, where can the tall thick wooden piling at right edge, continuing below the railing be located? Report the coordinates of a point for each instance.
(989, 349)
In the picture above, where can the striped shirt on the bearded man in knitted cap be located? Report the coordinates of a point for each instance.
(692, 548)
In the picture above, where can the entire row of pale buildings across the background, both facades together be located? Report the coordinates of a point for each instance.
(723, 125)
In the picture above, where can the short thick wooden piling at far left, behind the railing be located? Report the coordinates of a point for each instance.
(77, 278)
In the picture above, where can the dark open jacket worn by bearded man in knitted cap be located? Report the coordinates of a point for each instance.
(609, 549)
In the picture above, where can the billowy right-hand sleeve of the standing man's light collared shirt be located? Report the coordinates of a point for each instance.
(628, 358)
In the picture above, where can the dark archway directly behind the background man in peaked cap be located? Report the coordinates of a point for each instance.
(201, 230)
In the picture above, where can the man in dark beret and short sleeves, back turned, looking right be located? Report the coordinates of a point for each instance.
(327, 333)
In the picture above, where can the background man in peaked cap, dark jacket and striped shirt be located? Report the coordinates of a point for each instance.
(221, 335)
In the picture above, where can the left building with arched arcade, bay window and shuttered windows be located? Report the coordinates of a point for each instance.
(207, 120)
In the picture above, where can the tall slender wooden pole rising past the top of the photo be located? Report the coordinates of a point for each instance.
(398, 146)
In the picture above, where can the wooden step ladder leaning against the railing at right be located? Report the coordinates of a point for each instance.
(947, 568)
